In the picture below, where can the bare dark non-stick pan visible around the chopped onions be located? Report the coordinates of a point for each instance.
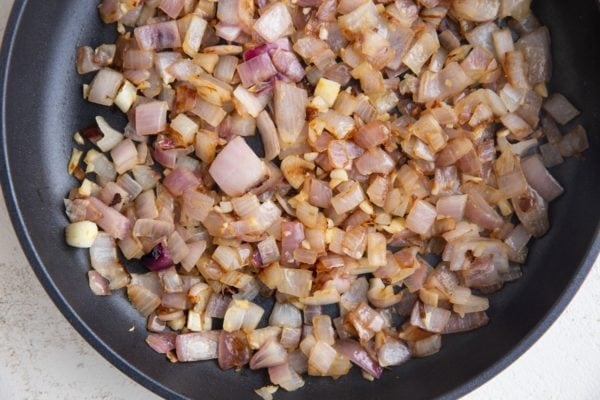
(41, 107)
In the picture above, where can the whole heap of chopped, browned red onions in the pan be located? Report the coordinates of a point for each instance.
(390, 130)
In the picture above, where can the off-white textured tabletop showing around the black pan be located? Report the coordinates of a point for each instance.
(43, 357)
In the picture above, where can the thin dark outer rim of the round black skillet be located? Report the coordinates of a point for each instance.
(37, 264)
